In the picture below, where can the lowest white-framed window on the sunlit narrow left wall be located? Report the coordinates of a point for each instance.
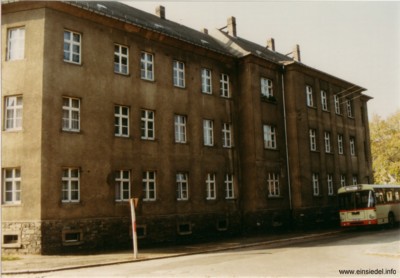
(12, 186)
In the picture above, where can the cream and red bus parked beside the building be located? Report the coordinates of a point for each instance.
(369, 204)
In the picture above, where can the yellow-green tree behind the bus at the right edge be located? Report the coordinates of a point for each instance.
(385, 148)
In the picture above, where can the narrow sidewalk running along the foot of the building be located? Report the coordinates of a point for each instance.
(27, 264)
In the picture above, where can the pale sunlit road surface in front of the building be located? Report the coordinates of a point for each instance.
(370, 252)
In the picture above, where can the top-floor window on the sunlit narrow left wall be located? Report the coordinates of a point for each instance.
(16, 44)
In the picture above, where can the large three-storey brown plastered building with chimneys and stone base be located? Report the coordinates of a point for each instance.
(215, 135)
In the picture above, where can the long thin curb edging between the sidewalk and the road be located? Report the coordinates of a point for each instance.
(187, 253)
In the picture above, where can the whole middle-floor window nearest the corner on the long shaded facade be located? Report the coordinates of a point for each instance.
(71, 114)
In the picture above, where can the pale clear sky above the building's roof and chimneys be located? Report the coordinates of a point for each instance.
(356, 41)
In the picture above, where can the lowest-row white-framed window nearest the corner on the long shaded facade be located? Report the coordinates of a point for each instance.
(70, 185)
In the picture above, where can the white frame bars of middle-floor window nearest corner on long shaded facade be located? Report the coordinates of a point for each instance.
(72, 111)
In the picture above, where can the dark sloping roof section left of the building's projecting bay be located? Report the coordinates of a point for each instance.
(131, 15)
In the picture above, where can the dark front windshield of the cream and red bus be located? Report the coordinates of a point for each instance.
(356, 200)
